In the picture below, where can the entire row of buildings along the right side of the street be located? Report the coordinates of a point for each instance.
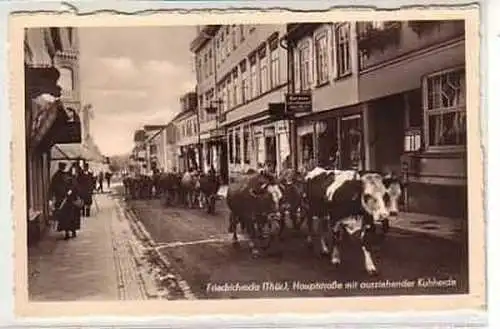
(387, 96)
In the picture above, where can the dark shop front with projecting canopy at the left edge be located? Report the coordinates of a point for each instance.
(48, 123)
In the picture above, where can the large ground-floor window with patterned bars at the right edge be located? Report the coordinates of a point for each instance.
(444, 109)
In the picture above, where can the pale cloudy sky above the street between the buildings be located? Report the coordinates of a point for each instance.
(133, 76)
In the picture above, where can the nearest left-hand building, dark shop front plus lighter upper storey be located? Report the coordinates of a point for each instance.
(48, 121)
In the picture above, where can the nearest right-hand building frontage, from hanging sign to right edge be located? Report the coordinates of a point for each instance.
(387, 96)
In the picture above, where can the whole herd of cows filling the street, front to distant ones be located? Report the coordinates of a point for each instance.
(332, 203)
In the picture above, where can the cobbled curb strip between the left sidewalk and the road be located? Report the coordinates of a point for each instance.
(159, 266)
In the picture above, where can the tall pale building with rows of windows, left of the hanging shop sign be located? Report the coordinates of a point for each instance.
(241, 69)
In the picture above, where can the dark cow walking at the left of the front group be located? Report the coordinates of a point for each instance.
(254, 204)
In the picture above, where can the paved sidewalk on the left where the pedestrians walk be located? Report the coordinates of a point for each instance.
(96, 265)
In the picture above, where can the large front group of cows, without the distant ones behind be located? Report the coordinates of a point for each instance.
(337, 202)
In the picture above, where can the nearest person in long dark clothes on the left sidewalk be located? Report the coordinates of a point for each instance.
(68, 201)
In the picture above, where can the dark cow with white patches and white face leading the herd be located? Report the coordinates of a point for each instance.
(352, 202)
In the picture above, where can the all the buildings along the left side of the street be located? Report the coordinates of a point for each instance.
(56, 123)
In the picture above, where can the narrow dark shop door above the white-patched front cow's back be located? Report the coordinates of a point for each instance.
(352, 152)
